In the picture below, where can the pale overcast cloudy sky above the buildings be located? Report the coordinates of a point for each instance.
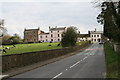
(31, 14)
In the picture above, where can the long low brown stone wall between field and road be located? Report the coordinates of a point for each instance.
(19, 60)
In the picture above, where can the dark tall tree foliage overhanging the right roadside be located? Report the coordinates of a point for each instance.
(110, 18)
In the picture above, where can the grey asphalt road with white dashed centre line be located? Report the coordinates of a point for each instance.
(89, 63)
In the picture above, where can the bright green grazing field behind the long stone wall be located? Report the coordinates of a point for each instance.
(20, 48)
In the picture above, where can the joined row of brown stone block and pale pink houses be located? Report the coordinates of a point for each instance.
(55, 34)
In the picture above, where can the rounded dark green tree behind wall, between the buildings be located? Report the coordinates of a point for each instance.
(69, 37)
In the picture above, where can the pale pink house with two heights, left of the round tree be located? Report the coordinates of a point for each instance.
(55, 34)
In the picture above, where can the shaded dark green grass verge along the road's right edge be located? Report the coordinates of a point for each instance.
(111, 61)
